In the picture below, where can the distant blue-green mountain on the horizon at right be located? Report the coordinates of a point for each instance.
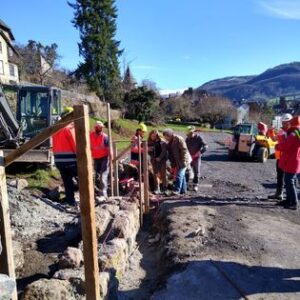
(281, 80)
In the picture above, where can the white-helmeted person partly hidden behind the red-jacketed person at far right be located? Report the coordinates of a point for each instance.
(281, 136)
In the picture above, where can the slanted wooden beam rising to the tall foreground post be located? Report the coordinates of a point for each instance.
(38, 139)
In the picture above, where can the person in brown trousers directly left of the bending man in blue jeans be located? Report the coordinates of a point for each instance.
(158, 156)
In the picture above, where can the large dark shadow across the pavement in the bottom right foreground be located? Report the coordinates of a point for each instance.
(213, 279)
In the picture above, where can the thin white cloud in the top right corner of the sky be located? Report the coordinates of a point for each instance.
(284, 9)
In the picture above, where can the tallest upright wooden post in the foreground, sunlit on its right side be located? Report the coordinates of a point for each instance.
(87, 203)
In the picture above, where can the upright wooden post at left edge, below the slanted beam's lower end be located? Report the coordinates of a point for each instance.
(6, 258)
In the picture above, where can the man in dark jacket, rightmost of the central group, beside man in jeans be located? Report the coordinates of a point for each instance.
(197, 146)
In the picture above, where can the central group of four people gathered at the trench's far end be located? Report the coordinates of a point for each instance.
(184, 156)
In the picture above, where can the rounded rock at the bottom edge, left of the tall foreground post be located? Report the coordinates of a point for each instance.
(52, 289)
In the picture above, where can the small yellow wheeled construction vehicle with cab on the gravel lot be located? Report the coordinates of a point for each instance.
(250, 140)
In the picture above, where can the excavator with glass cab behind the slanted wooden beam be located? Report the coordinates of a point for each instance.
(38, 107)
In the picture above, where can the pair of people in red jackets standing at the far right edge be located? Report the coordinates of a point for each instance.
(287, 153)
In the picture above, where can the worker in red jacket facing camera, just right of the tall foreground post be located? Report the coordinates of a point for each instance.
(100, 153)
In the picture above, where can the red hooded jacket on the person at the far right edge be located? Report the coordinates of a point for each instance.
(290, 158)
